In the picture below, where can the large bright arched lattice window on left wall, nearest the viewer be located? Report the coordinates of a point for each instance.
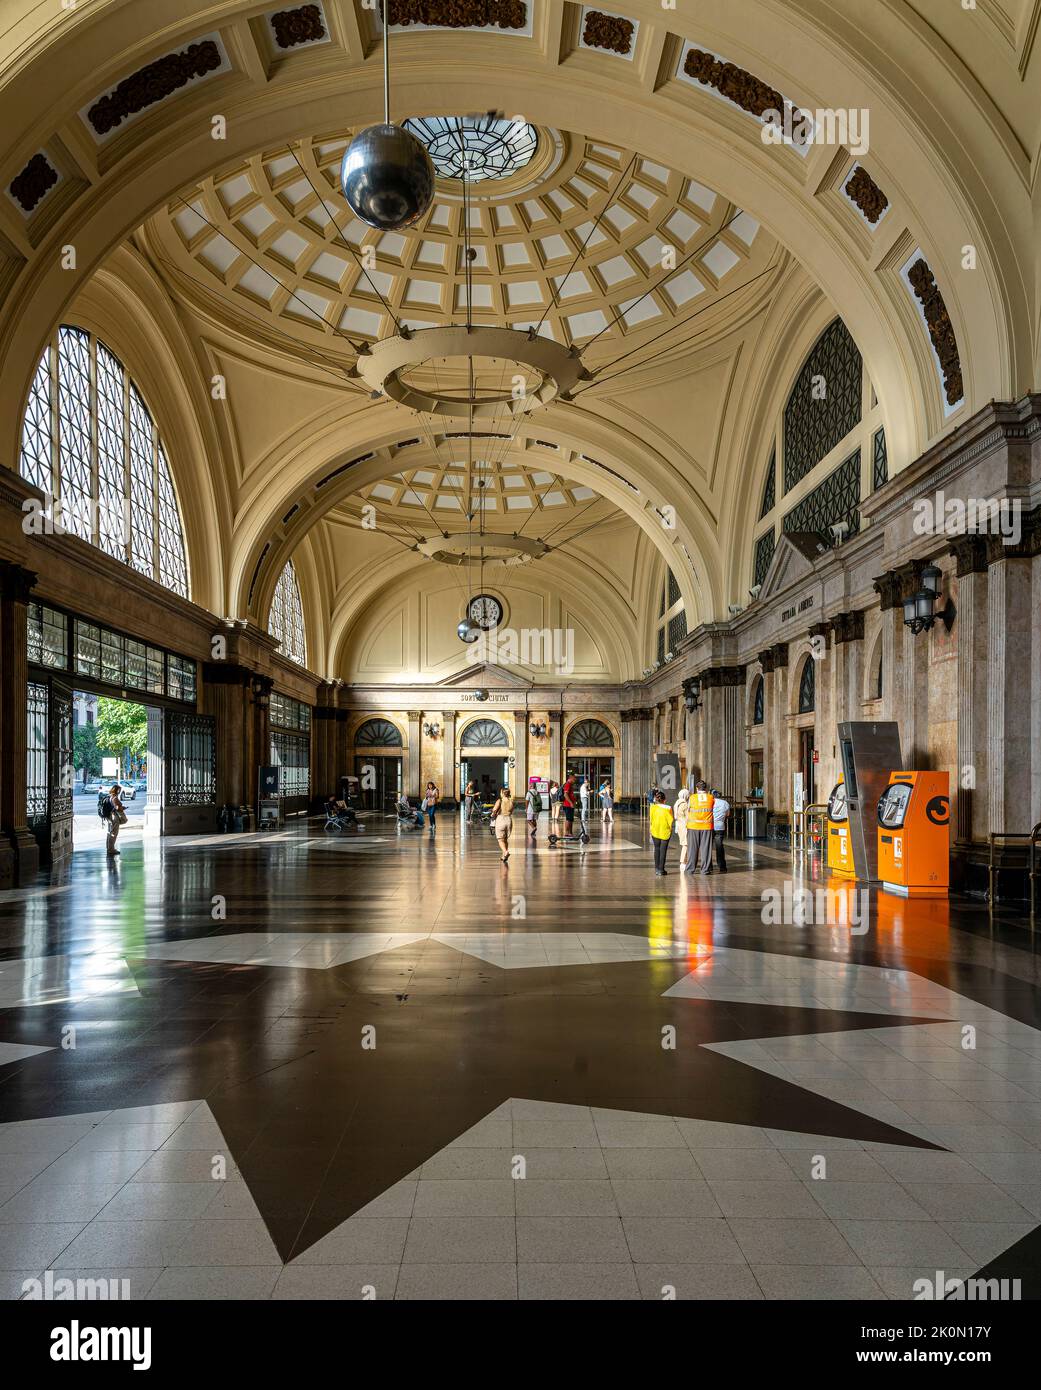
(91, 444)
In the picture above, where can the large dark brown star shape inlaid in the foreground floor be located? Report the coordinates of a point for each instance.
(329, 1089)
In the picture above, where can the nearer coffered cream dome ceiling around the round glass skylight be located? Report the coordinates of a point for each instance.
(593, 244)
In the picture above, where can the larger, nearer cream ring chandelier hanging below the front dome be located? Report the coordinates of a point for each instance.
(557, 370)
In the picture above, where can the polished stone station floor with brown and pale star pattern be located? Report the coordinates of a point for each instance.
(384, 1065)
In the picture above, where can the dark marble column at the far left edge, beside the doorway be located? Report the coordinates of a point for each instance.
(20, 854)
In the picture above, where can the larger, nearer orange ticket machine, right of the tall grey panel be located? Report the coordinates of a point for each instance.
(914, 835)
